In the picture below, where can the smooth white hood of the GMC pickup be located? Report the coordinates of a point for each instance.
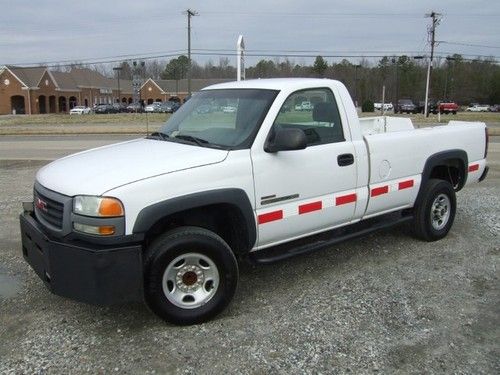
(95, 171)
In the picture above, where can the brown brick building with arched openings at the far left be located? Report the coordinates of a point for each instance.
(37, 90)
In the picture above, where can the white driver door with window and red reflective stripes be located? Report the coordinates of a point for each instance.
(301, 192)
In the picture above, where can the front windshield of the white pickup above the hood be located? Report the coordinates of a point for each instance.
(226, 119)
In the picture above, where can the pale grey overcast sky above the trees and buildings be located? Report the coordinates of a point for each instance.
(54, 31)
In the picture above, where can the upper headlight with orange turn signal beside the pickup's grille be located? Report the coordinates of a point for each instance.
(97, 206)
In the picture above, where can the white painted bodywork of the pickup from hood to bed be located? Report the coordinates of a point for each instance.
(389, 157)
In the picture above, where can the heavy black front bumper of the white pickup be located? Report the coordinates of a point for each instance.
(99, 275)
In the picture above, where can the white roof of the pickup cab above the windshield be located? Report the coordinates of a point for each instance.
(275, 84)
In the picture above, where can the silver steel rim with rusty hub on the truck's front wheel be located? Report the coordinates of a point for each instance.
(190, 280)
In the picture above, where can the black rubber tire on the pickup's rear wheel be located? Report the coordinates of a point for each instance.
(422, 222)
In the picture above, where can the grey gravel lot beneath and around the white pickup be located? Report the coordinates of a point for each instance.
(383, 303)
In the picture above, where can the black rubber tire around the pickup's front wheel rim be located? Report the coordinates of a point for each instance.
(174, 244)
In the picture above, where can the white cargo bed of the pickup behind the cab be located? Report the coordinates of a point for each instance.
(397, 153)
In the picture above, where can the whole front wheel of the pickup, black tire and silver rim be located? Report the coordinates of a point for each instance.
(190, 275)
